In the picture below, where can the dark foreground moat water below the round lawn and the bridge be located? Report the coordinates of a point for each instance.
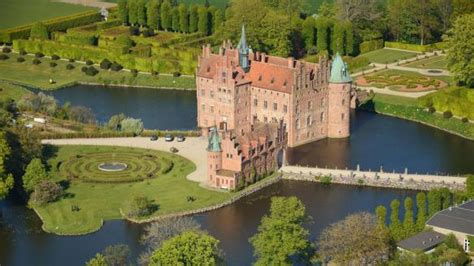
(22, 242)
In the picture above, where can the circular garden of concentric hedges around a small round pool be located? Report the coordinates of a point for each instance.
(120, 167)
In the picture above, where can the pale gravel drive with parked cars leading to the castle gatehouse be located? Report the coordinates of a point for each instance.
(194, 149)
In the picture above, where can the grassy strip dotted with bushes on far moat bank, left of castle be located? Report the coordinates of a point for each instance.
(38, 75)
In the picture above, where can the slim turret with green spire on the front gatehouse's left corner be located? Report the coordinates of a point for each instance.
(214, 157)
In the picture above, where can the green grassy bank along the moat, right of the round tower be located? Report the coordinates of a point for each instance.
(406, 108)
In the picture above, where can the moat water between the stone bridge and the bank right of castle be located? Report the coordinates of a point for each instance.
(393, 143)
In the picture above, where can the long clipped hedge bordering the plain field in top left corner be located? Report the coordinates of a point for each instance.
(55, 24)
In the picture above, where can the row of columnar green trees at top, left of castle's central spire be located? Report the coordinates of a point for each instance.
(170, 16)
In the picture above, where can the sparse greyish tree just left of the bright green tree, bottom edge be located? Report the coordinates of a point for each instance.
(158, 232)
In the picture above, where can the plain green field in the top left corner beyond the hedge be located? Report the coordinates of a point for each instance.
(19, 12)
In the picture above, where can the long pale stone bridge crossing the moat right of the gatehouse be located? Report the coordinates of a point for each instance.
(374, 178)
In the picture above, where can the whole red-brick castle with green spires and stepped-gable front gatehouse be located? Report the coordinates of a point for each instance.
(252, 106)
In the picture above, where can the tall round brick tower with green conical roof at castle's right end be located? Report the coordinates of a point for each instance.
(339, 99)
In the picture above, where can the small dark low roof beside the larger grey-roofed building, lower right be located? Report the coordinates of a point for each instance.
(424, 241)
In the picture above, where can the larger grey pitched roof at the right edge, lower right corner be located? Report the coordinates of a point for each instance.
(458, 218)
